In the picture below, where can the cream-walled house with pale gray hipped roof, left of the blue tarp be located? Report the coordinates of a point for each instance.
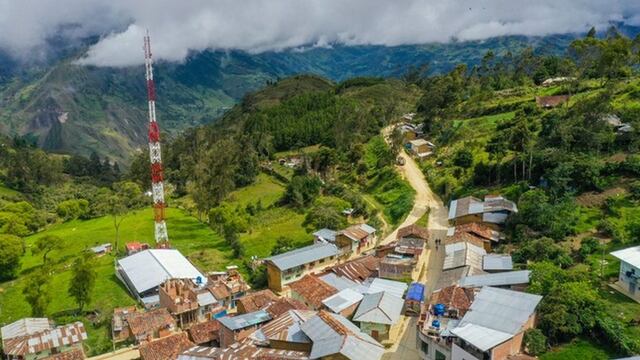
(379, 316)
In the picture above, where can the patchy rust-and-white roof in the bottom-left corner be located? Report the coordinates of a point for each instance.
(53, 338)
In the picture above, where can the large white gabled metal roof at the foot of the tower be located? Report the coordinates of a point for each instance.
(150, 268)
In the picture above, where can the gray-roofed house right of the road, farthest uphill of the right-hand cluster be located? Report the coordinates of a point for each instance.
(492, 211)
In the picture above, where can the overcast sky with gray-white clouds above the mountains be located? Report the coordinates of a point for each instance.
(258, 25)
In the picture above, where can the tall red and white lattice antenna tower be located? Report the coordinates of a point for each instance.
(157, 187)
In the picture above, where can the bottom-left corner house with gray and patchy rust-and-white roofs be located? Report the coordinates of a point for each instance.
(39, 338)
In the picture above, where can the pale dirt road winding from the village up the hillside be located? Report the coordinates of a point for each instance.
(432, 260)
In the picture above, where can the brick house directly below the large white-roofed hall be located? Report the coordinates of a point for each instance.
(188, 302)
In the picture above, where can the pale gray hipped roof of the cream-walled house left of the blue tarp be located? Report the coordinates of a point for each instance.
(379, 308)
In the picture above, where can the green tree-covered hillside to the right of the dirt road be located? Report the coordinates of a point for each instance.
(570, 163)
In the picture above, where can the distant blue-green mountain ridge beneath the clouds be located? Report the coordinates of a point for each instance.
(68, 108)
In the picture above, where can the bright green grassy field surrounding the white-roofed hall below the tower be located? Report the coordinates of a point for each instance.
(205, 248)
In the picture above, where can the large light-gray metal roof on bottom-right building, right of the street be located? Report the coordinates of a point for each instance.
(495, 314)
